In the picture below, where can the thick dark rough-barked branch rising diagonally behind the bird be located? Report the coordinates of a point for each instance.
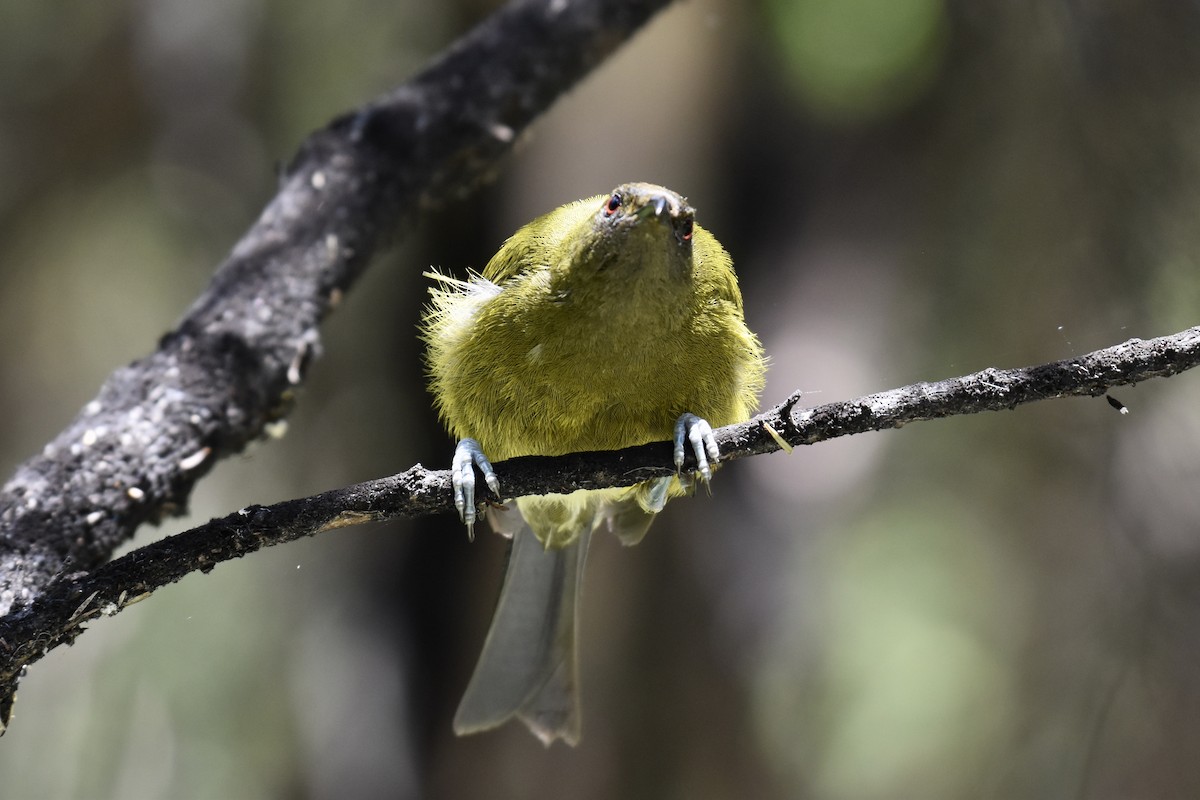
(231, 366)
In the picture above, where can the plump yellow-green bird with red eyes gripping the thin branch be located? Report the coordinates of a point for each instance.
(610, 322)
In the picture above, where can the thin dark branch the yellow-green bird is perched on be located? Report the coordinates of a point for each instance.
(61, 615)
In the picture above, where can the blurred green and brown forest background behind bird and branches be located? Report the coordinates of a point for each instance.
(999, 606)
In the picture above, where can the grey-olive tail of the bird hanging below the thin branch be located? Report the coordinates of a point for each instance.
(530, 664)
